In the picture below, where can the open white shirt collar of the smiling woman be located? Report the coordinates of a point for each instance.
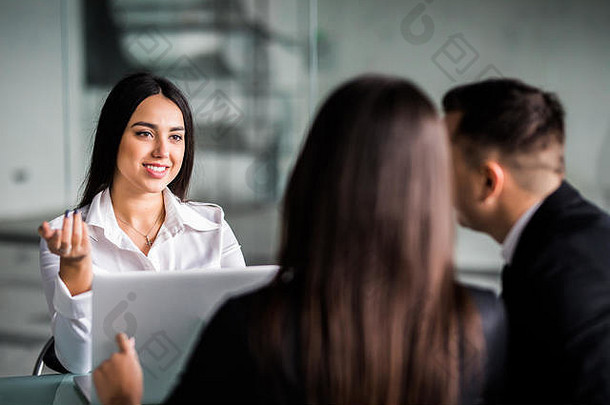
(177, 216)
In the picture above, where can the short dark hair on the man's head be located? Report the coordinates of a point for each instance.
(507, 115)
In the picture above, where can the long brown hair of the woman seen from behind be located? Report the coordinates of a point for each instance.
(367, 238)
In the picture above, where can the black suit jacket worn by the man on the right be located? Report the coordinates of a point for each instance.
(557, 297)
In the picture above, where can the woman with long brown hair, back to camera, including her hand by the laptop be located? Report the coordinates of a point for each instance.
(365, 308)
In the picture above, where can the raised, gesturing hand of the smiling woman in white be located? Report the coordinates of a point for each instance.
(71, 244)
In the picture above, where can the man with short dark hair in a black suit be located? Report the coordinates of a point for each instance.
(507, 143)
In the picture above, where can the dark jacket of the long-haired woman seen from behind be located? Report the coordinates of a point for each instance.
(223, 369)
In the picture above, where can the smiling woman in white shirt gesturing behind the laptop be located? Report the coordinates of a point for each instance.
(133, 214)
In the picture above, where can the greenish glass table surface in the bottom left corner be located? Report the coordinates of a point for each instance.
(44, 390)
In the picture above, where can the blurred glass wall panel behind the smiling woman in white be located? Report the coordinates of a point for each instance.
(244, 65)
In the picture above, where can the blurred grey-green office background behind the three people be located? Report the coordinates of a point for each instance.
(254, 72)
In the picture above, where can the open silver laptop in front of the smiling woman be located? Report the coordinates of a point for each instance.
(165, 312)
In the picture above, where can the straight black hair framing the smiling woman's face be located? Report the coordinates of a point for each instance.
(116, 112)
